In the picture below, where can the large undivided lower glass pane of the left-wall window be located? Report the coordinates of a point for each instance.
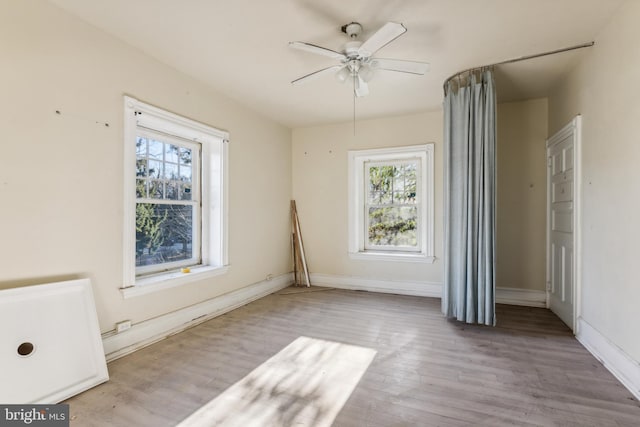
(164, 233)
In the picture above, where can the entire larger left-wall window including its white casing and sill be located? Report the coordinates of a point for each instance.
(175, 178)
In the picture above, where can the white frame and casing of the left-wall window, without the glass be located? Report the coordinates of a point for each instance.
(213, 172)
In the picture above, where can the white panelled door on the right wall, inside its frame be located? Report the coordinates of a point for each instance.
(561, 223)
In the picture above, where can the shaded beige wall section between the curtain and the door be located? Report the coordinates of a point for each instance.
(521, 197)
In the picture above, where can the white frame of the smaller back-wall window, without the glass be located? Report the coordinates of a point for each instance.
(358, 220)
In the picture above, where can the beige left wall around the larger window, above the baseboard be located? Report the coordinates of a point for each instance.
(61, 208)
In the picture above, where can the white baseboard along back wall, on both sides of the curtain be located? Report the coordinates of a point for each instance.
(510, 296)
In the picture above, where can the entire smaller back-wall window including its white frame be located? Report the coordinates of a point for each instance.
(391, 204)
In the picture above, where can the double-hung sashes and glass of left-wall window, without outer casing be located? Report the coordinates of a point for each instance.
(168, 200)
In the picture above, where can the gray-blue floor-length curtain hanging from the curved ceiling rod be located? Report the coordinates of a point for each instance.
(470, 186)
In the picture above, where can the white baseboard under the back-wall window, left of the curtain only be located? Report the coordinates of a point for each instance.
(422, 289)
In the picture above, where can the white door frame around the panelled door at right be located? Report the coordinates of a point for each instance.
(574, 127)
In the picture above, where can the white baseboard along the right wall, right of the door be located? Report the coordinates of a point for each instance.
(619, 363)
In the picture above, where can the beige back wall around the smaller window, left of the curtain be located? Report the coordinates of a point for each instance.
(320, 190)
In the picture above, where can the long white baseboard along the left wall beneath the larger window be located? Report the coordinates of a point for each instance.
(145, 333)
